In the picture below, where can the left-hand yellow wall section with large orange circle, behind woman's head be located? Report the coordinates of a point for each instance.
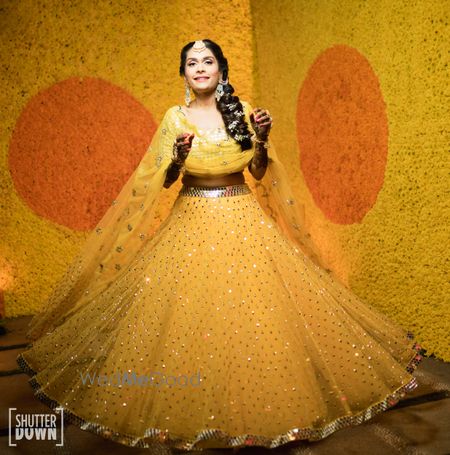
(95, 76)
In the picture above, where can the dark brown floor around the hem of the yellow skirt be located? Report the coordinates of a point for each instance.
(419, 424)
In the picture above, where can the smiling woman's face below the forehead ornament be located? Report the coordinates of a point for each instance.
(201, 71)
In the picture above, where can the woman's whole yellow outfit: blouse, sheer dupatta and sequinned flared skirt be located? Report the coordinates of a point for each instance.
(220, 328)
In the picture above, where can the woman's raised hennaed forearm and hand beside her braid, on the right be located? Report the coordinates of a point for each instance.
(262, 123)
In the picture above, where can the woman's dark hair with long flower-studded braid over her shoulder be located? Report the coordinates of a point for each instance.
(229, 106)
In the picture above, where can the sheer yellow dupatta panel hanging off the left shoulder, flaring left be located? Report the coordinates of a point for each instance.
(116, 239)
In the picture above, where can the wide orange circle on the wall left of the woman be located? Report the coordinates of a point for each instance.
(74, 146)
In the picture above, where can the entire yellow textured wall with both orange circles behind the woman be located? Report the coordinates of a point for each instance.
(357, 91)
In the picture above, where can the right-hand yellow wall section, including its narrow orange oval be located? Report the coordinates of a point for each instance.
(391, 248)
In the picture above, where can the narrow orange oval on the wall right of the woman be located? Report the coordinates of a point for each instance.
(342, 132)
